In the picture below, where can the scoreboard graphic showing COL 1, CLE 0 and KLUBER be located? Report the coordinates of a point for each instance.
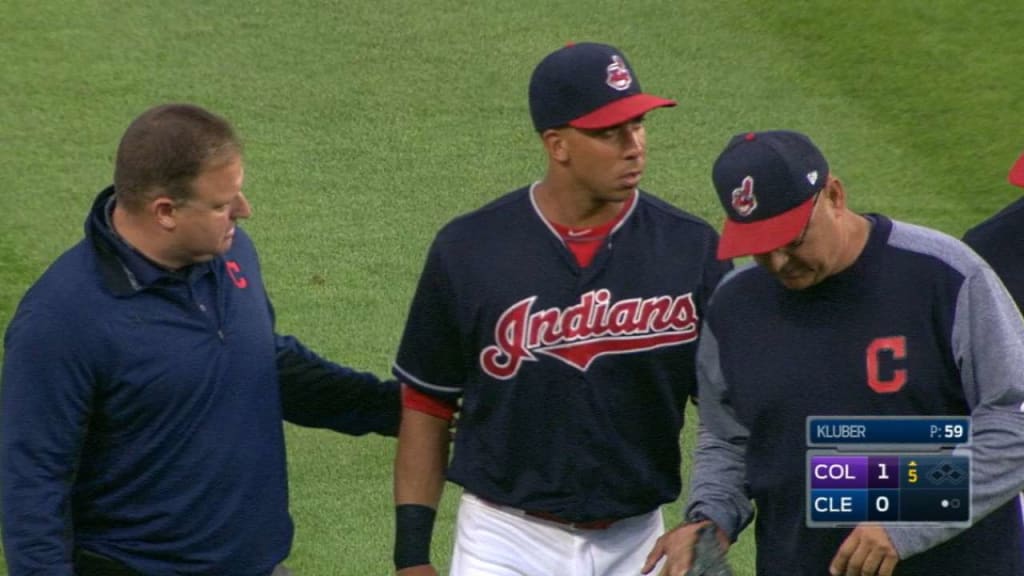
(888, 470)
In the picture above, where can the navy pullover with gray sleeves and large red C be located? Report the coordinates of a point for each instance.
(917, 326)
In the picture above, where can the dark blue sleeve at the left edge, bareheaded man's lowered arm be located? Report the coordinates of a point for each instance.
(46, 398)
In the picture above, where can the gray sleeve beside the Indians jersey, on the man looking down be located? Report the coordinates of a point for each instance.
(719, 477)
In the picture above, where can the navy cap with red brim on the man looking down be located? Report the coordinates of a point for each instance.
(766, 183)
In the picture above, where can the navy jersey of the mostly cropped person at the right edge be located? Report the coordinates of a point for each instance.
(1001, 241)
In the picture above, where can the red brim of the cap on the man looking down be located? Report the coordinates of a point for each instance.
(744, 239)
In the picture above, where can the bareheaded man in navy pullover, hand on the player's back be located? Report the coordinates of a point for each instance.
(144, 384)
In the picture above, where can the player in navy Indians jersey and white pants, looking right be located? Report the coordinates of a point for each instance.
(563, 320)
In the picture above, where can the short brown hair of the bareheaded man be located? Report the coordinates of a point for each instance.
(166, 148)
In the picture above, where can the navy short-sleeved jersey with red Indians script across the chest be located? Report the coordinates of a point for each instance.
(573, 382)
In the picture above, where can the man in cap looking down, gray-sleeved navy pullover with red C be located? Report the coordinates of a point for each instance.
(856, 315)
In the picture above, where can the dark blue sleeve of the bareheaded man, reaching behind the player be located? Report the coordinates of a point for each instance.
(320, 394)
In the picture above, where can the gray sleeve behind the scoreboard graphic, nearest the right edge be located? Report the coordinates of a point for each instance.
(989, 345)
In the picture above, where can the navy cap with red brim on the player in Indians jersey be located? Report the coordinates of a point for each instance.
(589, 87)
